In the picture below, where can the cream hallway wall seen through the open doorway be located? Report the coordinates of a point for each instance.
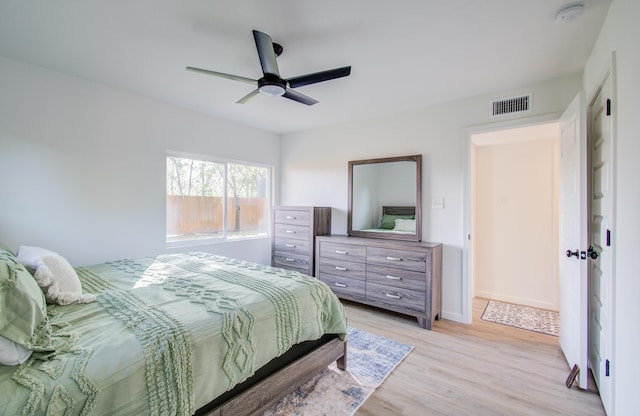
(515, 216)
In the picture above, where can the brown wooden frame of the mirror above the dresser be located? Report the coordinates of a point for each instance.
(418, 200)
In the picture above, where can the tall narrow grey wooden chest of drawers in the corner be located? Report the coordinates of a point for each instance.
(294, 233)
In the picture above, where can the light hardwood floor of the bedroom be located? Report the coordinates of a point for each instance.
(477, 369)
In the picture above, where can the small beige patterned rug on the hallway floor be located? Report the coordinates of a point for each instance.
(524, 317)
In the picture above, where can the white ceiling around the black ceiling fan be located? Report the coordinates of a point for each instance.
(404, 54)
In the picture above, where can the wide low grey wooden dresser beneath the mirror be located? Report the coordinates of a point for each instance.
(401, 276)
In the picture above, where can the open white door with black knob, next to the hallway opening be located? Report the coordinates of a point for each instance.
(573, 236)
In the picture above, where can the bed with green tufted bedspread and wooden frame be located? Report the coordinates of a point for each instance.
(190, 333)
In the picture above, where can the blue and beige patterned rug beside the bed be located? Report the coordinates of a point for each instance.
(370, 359)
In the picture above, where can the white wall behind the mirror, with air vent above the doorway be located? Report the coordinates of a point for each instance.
(314, 165)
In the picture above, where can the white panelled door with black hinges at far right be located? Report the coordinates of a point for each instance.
(600, 140)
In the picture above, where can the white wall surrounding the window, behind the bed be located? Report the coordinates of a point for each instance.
(82, 165)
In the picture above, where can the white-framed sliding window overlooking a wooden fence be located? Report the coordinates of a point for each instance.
(216, 200)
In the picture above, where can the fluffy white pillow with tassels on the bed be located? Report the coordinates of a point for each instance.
(54, 275)
